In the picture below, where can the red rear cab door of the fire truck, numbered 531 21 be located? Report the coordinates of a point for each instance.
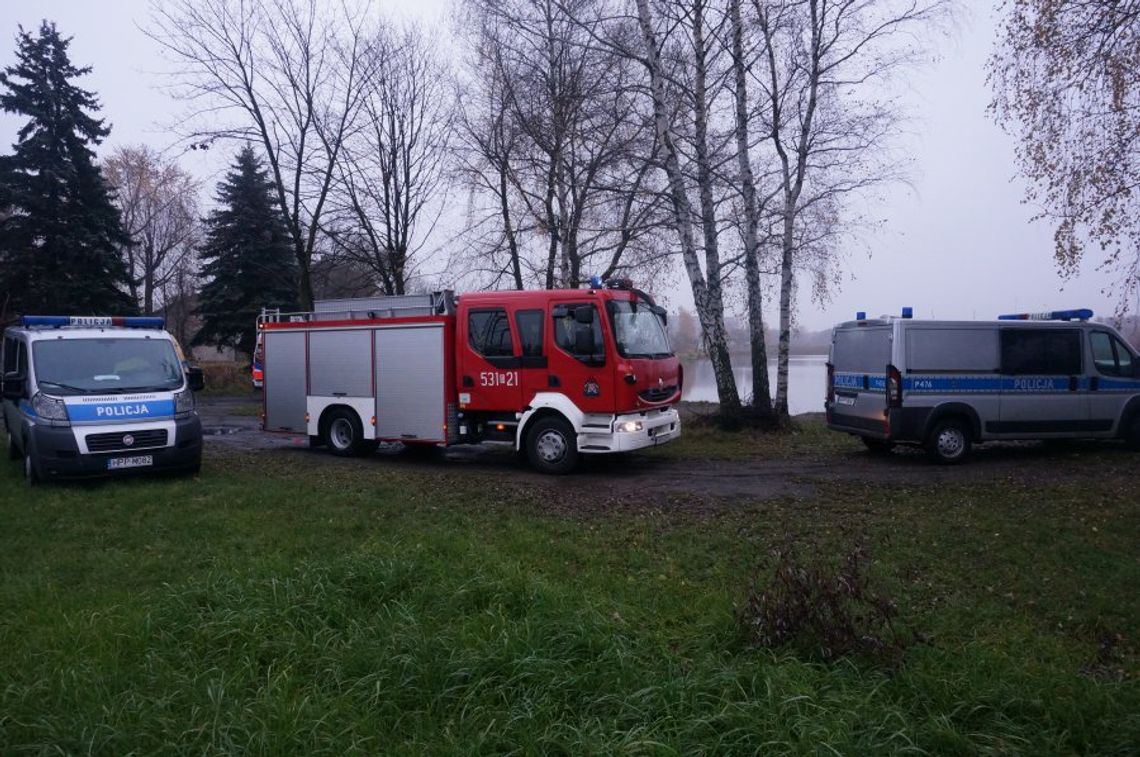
(490, 365)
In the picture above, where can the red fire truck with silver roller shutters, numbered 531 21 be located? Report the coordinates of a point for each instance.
(556, 373)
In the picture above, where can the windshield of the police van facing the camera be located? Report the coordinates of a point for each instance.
(96, 367)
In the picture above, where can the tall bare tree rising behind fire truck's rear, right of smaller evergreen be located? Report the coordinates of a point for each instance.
(286, 75)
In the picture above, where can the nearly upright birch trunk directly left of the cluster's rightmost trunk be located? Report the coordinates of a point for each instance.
(762, 397)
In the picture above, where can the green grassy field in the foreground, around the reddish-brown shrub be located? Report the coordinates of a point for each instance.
(287, 603)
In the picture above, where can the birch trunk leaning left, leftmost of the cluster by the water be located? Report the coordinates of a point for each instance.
(711, 318)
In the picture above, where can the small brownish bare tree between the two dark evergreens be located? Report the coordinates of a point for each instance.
(159, 205)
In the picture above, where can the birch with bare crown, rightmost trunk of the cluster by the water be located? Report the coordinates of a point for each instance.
(829, 120)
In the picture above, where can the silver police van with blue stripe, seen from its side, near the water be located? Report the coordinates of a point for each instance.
(948, 385)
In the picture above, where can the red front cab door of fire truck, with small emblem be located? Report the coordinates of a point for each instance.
(580, 359)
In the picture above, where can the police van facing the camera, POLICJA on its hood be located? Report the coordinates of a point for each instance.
(92, 396)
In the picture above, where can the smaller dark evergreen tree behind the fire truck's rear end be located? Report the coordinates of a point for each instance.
(248, 256)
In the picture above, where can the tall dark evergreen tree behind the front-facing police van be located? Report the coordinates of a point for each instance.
(60, 232)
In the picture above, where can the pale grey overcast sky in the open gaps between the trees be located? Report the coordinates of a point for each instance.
(956, 245)
